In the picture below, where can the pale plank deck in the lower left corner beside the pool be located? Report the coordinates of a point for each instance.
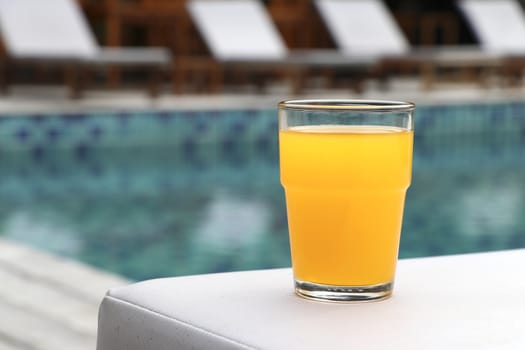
(48, 302)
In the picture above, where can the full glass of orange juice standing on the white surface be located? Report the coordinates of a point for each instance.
(345, 168)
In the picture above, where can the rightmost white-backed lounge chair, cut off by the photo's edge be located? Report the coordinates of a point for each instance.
(499, 26)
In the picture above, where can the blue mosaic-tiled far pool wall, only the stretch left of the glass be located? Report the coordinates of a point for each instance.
(187, 129)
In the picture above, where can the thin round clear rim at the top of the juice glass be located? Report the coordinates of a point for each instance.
(351, 105)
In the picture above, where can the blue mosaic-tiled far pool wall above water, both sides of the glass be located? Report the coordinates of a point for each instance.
(494, 124)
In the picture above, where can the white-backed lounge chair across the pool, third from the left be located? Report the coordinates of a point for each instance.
(367, 27)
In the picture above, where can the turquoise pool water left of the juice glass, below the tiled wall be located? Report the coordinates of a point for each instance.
(149, 211)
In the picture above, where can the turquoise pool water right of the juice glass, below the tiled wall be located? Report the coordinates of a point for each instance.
(467, 195)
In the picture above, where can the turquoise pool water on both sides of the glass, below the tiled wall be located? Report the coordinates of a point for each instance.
(156, 211)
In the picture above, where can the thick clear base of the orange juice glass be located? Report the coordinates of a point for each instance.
(344, 294)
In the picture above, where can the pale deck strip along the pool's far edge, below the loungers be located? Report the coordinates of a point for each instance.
(39, 99)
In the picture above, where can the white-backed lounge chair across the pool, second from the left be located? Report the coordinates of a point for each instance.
(241, 35)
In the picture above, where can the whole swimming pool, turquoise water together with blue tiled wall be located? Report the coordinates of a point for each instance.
(165, 193)
